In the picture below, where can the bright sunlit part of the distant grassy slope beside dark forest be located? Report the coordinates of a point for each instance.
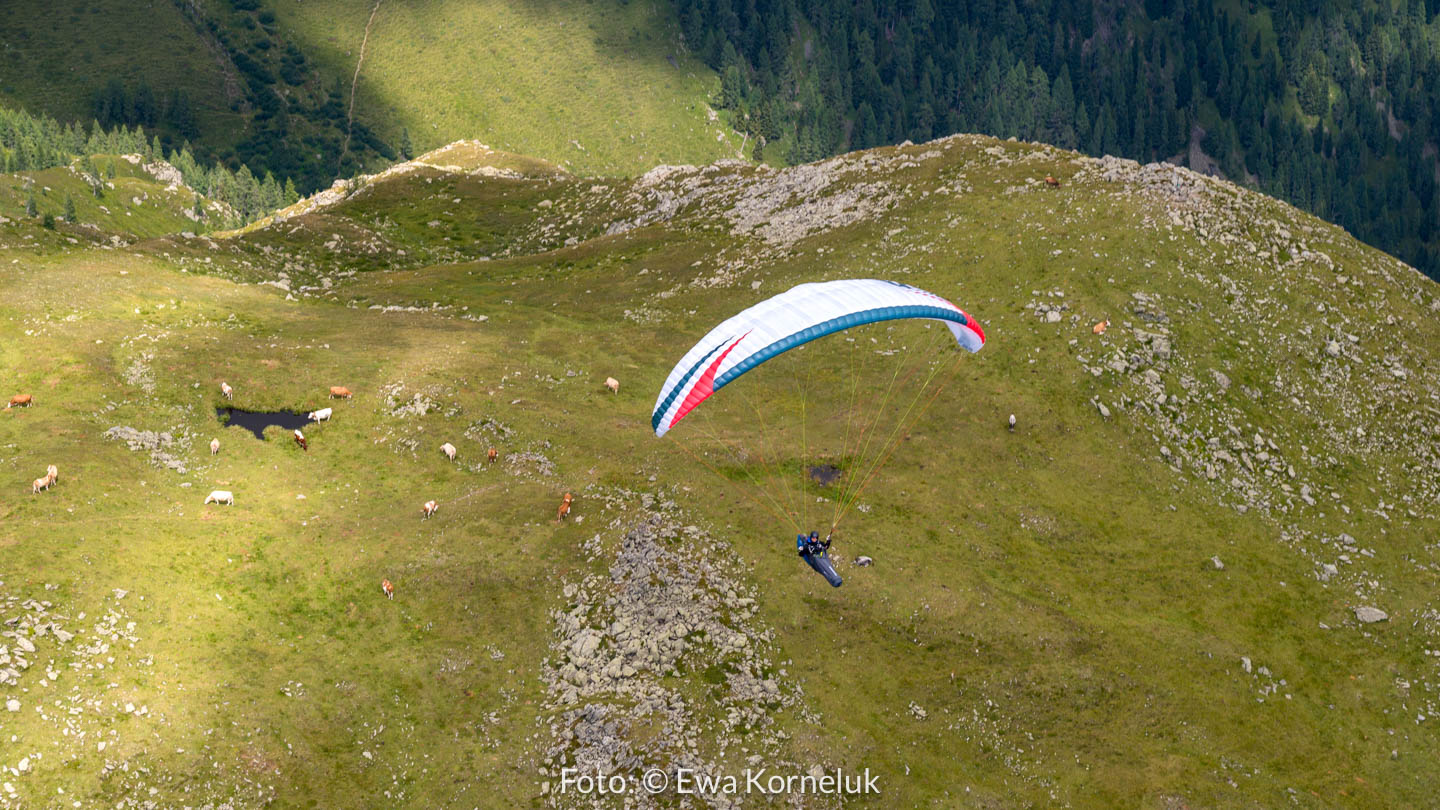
(595, 86)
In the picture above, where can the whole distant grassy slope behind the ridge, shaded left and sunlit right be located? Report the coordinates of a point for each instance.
(594, 86)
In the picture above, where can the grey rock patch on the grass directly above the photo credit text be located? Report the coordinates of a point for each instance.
(667, 607)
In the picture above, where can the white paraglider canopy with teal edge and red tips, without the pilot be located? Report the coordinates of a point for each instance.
(790, 321)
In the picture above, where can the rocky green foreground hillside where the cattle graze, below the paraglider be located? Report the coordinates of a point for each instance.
(1045, 622)
